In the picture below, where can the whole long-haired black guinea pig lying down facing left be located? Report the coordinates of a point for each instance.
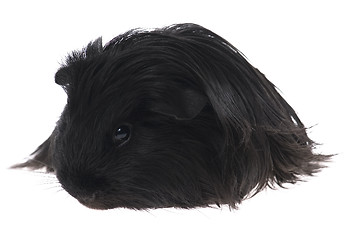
(171, 117)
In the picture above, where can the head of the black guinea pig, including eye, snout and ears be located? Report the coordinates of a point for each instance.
(134, 134)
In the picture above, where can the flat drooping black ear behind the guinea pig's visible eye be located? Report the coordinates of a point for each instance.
(181, 105)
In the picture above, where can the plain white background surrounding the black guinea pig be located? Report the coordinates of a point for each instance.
(309, 49)
